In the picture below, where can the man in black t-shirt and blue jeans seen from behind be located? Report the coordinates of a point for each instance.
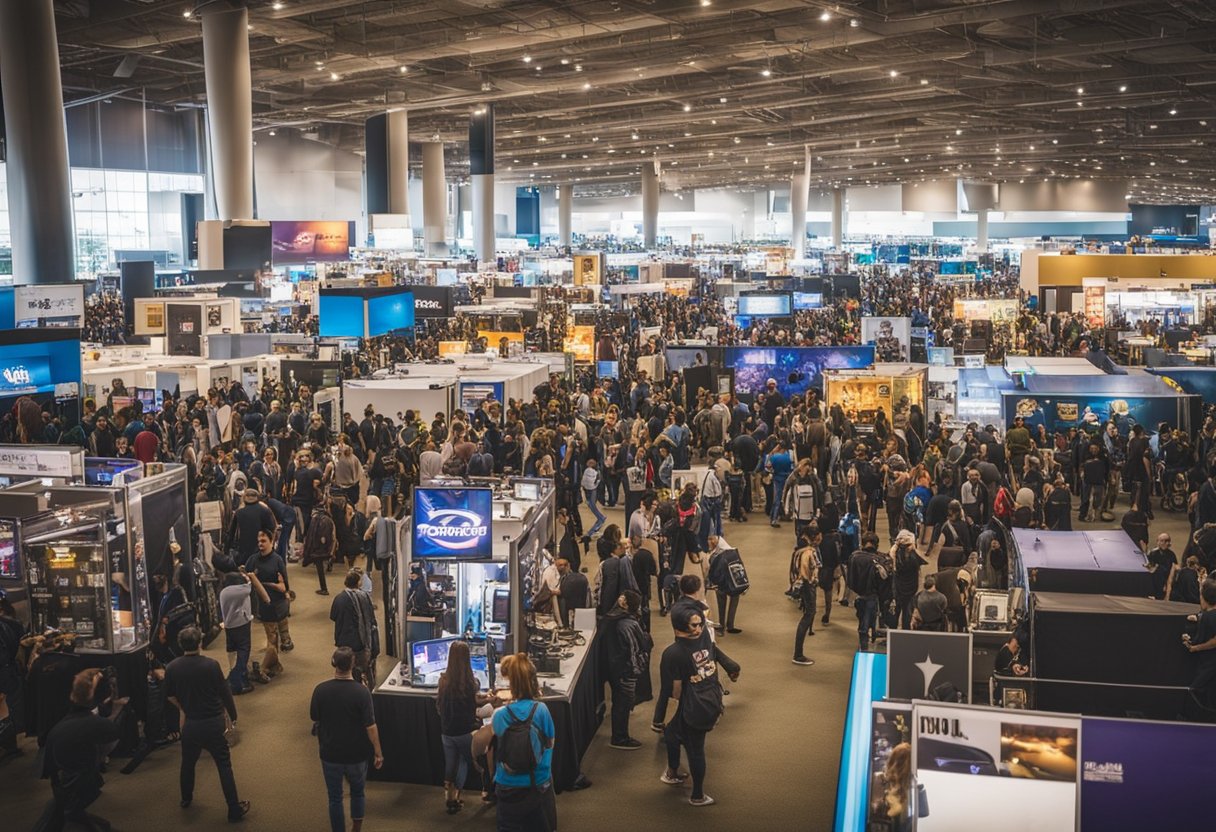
(347, 734)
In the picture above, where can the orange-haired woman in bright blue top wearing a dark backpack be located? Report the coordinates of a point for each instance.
(523, 735)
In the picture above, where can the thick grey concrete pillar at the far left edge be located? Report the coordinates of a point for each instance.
(40, 179)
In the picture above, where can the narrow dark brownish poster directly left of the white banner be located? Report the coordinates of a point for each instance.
(891, 805)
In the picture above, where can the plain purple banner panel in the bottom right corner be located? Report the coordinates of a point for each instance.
(1138, 775)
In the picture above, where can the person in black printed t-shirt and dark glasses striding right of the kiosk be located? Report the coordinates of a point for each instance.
(691, 662)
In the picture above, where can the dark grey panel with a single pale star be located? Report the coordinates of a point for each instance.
(921, 662)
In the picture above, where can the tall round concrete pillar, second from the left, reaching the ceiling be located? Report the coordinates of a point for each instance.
(229, 109)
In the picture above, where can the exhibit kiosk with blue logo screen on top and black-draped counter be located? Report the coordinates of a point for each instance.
(470, 563)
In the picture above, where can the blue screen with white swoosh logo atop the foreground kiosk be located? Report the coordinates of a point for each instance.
(453, 524)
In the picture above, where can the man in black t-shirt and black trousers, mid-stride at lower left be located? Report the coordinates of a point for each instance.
(196, 685)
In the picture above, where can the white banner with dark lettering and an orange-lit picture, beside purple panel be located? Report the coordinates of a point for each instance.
(994, 769)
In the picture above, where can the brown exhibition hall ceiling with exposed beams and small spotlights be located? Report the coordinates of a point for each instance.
(724, 93)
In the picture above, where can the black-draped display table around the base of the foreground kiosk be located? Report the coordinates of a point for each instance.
(409, 721)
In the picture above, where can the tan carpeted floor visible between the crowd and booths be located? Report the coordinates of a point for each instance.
(773, 760)
